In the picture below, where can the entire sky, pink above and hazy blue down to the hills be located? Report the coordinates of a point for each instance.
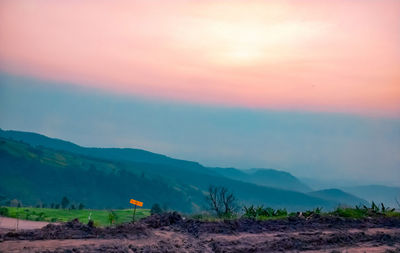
(308, 86)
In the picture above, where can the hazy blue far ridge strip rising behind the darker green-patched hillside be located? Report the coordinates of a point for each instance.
(263, 177)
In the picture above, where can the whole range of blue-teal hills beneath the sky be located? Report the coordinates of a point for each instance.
(36, 168)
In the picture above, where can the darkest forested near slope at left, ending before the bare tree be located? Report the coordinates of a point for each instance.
(36, 176)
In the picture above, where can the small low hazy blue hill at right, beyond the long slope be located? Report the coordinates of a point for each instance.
(339, 196)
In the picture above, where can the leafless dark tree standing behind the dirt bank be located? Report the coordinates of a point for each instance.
(221, 201)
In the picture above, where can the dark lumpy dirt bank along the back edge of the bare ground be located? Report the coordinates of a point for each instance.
(175, 222)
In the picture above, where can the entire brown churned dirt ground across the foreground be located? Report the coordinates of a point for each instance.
(171, 233)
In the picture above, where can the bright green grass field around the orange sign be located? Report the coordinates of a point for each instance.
(100, 217)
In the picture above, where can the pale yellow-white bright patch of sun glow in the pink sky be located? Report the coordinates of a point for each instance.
(238, 43)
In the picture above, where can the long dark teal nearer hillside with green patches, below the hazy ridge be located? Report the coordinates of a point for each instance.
(38, 174)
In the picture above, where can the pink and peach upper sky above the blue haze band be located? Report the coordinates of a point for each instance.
(335, 56)
